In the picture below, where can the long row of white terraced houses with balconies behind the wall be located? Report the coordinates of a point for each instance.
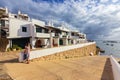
(20, 29)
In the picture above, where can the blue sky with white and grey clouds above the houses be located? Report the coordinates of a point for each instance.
(99, 19)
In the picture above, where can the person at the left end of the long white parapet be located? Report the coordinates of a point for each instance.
(26, 54)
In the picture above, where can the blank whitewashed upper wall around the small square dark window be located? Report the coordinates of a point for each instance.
(15, 28)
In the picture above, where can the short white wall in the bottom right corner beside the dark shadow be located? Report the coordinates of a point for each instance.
(115, 68)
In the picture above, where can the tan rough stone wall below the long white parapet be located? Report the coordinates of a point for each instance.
(73, 53)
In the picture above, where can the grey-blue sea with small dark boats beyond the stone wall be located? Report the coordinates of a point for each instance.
(111, 47)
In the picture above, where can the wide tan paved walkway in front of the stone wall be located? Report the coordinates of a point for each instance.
(84, 68)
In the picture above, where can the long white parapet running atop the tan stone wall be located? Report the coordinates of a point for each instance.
(49, 51)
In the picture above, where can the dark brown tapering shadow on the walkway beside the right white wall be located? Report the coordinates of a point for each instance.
(107, 72)
